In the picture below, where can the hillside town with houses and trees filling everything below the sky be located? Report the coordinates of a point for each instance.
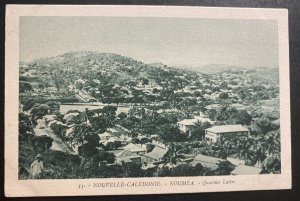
(103, 115)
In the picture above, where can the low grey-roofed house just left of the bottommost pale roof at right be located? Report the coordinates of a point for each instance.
(207, 161)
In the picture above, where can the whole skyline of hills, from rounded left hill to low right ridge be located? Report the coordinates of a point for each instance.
(88, 64)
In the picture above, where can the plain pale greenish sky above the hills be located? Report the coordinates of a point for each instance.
(172, 41)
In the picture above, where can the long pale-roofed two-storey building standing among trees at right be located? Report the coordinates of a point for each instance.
(218, 133)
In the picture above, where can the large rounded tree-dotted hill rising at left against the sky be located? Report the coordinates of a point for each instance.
(114, 68)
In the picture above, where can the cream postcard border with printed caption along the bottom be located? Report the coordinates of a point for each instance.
(19, 188)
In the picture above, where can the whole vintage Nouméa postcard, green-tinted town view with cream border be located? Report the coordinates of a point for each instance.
(170, 101)
